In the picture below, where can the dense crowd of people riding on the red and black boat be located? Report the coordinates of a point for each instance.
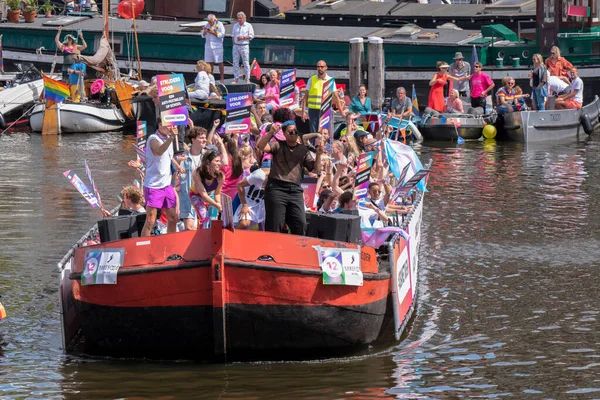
(263, 171)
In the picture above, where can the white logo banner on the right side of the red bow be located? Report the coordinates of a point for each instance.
(340, 266)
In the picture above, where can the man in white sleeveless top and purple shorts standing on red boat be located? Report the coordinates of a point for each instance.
(158, 191)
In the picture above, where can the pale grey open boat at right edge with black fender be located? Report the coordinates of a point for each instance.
(549, 125)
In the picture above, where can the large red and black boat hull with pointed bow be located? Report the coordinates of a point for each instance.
(214, 294)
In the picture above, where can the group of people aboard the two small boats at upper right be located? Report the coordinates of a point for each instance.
(554, 79)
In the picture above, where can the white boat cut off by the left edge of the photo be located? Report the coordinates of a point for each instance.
(26, 87)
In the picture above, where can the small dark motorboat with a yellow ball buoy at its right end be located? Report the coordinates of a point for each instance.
(449, 126)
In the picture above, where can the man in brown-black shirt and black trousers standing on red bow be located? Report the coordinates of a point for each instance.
(284, 200)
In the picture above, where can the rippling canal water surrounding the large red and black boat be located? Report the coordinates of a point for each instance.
(508, 301)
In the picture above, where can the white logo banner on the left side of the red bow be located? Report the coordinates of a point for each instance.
(100, 267)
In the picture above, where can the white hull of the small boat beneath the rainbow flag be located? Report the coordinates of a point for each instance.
(81, 118)
